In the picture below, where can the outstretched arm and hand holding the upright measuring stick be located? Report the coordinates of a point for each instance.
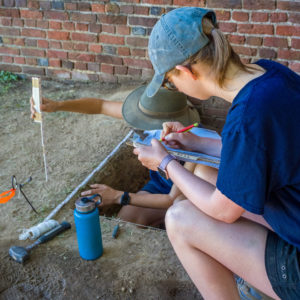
(82, 105)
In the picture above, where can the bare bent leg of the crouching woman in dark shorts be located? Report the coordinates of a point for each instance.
(211, 251)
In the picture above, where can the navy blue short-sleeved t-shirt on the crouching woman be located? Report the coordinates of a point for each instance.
(260, 158)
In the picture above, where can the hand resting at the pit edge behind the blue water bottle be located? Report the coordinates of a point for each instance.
(109, 195)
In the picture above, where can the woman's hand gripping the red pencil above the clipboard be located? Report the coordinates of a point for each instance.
(184, 140)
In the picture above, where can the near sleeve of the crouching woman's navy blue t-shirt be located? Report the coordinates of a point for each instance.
(243, 173)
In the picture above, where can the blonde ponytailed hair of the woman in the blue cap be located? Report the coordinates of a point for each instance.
(217, 54)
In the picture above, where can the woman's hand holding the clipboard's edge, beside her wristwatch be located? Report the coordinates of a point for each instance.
(151, 156)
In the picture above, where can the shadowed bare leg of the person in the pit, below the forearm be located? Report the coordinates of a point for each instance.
(141, 215)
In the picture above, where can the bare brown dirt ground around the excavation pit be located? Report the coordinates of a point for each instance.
(139, 264)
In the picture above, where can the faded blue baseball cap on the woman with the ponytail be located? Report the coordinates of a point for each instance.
(175, 37)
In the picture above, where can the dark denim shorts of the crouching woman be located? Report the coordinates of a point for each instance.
(283, 267)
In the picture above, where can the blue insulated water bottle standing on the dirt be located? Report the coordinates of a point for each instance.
(86, 216)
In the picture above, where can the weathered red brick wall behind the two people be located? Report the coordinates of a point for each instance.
(107, 40)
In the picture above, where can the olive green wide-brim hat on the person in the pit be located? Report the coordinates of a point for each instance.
(145, 113)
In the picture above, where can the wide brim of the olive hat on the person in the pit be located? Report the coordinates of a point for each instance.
(137, 119)
